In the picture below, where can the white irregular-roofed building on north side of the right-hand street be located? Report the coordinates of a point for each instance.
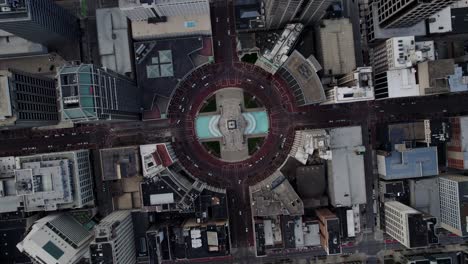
(353, 87)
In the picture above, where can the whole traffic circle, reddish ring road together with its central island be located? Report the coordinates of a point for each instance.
(231, 123)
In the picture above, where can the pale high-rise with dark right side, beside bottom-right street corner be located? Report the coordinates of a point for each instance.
(406, 225)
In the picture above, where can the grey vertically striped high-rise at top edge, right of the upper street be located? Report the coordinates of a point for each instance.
(280, 12)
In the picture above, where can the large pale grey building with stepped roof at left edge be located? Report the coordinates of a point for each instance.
(46, 182)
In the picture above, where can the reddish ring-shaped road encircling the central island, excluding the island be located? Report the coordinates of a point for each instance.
(200, 85)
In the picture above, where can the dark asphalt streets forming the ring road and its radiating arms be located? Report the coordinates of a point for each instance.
(237, 177)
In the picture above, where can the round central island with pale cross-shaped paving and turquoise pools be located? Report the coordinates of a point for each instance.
(232, 124)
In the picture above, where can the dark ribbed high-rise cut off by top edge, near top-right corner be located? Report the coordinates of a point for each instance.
(406, 13)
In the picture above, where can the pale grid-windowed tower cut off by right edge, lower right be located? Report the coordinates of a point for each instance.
(454, 203)
